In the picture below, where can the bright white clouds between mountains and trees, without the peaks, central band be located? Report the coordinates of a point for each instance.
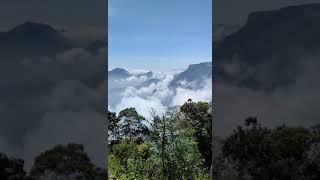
(155, 96)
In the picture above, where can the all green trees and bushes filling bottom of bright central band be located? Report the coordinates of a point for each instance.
(176, 145)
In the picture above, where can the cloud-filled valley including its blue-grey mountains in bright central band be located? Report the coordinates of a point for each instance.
(158, 91)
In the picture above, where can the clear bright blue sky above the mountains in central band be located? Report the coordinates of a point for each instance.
(159, 34)
